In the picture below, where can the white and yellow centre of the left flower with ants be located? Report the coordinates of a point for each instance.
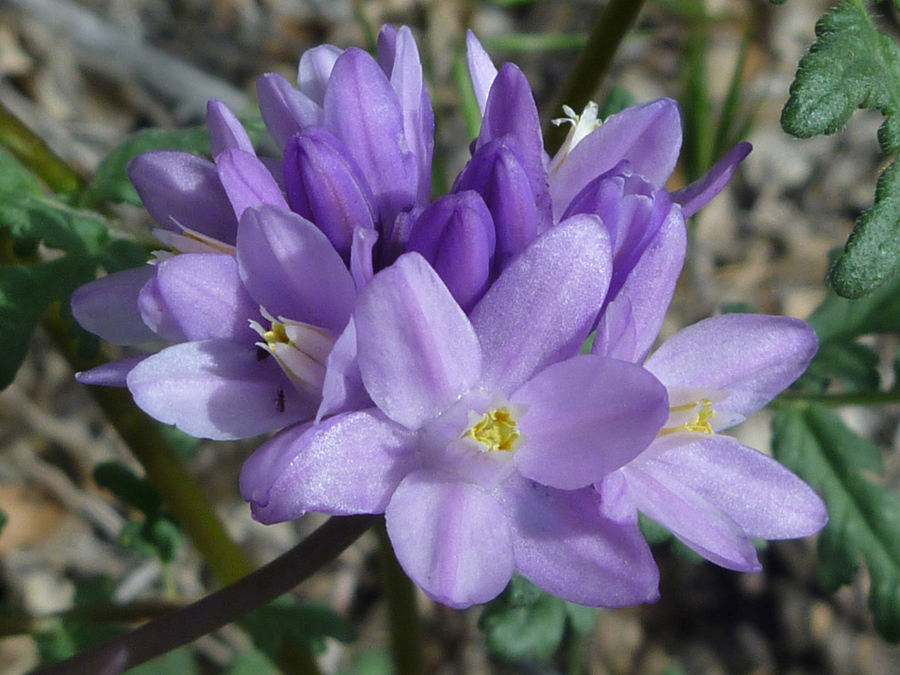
(301, 349)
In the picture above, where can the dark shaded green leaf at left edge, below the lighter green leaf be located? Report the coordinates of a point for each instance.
(26, 292)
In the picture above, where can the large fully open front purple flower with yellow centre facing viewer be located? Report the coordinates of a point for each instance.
(486, 432)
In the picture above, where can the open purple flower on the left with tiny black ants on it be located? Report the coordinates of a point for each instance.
(257, 329)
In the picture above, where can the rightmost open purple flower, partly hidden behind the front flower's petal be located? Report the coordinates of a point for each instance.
(710, 491)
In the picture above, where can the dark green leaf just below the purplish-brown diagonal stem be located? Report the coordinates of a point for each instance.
(308, 624)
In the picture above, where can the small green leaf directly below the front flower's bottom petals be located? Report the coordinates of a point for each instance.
(523, 623)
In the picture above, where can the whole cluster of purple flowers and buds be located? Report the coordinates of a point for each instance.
(424, 359)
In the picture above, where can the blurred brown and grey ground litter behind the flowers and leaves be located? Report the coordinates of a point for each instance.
(85, 74)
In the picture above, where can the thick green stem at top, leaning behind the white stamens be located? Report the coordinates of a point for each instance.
(593, 63)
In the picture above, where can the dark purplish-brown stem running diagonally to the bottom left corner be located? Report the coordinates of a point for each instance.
(221, 608)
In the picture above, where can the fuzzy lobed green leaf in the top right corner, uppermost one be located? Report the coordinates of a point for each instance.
(849, 66)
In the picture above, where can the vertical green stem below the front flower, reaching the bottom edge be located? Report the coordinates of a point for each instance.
(406, 639)
